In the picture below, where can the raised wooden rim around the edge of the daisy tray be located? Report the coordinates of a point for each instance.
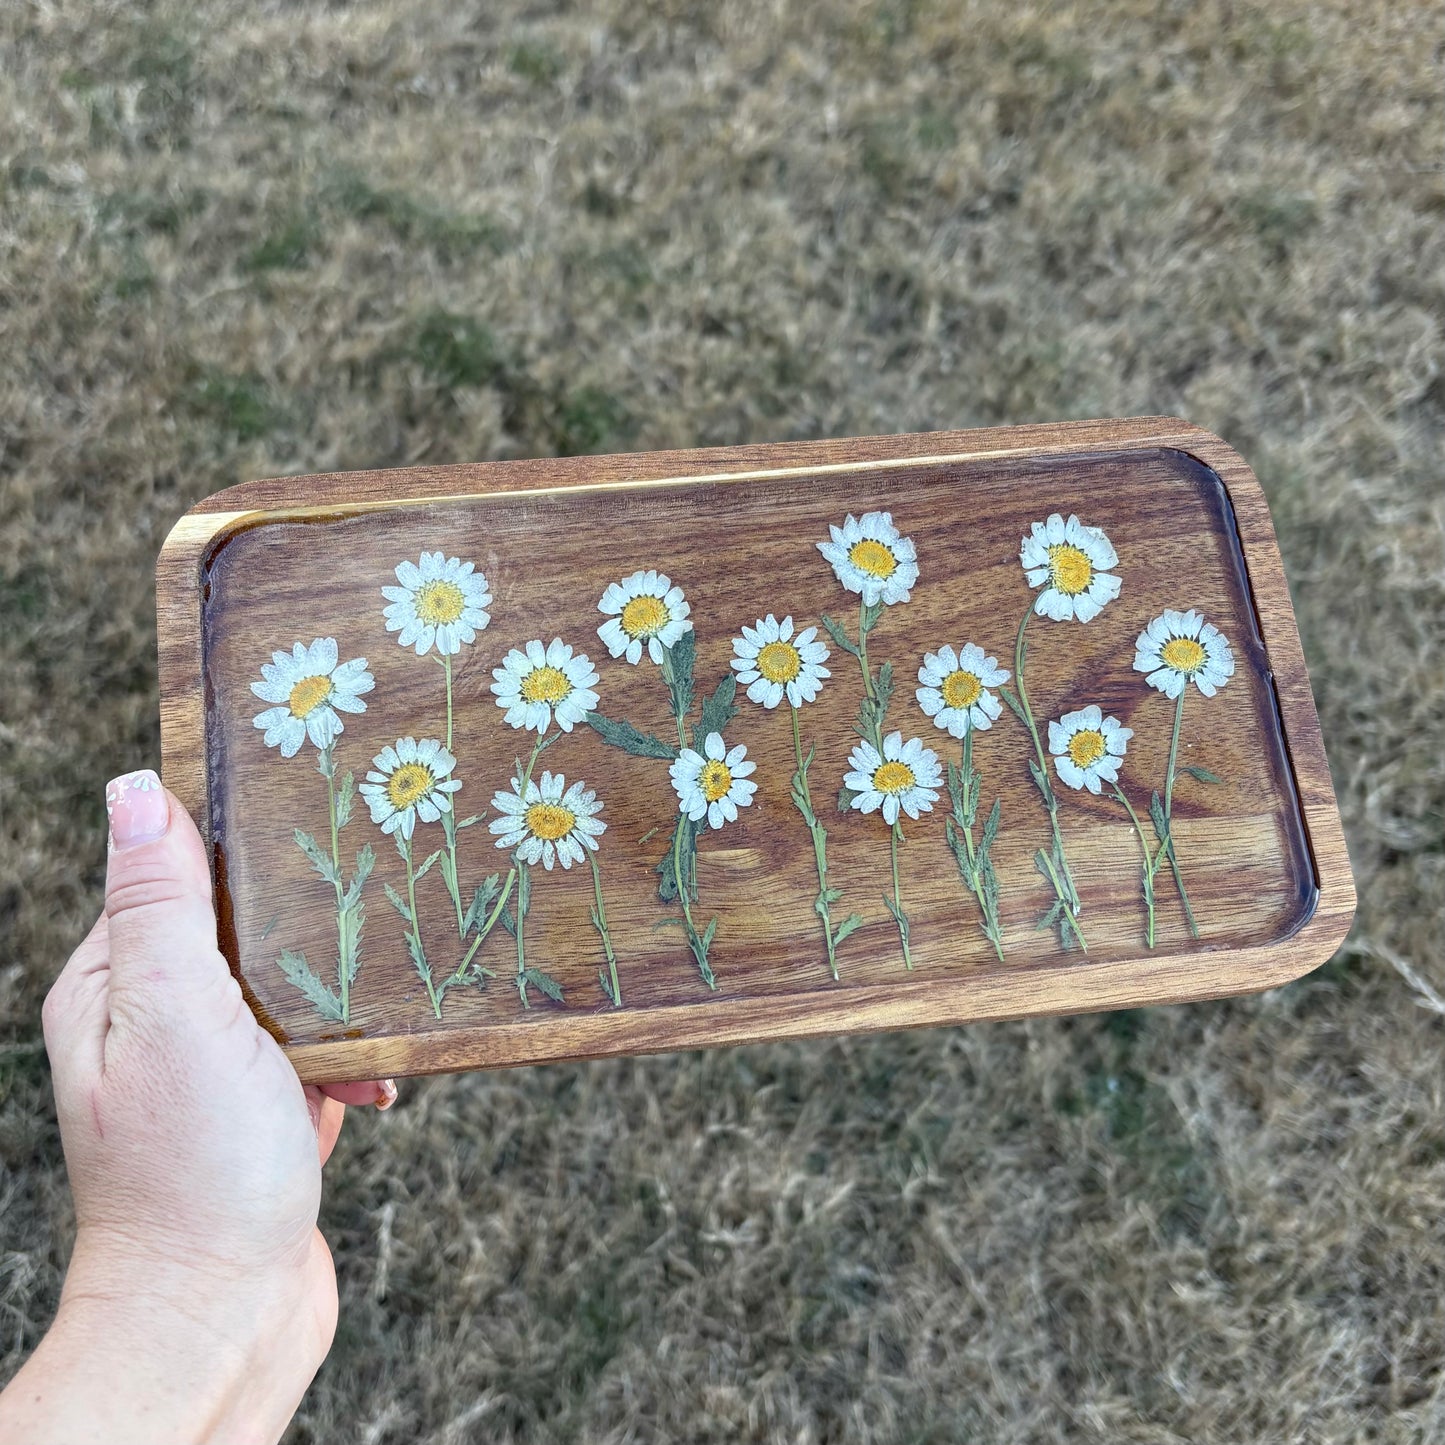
(1038, 991)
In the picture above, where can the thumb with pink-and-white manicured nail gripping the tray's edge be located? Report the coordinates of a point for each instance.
(158, 898)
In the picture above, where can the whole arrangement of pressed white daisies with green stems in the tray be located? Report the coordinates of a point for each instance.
(439, 608)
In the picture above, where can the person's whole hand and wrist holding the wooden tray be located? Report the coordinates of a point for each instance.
(202, 1297)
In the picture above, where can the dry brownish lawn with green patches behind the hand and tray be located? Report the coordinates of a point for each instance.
(246, 239)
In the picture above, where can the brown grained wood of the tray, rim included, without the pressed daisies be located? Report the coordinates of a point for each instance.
(271, 563)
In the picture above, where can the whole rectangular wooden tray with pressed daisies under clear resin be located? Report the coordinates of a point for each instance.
(274, 566)
